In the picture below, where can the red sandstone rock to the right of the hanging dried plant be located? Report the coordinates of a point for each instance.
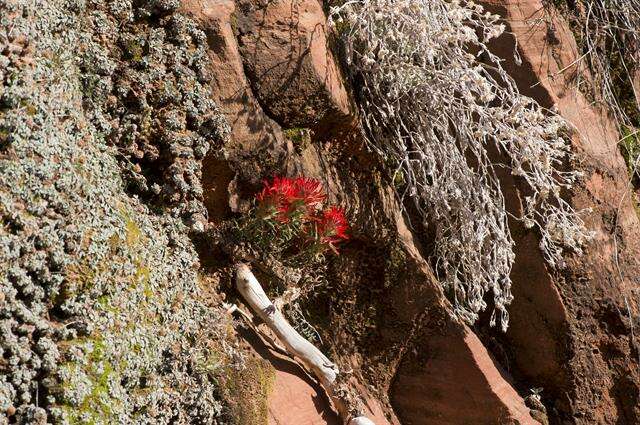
(570, 332)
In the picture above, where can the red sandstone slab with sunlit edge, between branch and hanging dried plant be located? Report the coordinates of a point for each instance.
(443, 373)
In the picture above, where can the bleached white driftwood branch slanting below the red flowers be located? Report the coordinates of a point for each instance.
(297, 346)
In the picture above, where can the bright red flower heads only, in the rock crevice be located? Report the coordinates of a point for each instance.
(299, 201)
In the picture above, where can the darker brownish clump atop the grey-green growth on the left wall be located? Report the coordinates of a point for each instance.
(144, 86)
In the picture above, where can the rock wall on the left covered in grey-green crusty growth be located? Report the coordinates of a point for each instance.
(102, 315)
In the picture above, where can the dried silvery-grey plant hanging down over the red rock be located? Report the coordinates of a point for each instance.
(436, 112)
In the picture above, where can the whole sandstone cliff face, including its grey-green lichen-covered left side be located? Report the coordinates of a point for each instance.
(112, 188)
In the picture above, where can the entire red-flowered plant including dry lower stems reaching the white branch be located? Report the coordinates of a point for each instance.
(288, 234)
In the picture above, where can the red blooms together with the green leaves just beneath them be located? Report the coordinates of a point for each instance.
(290, 209)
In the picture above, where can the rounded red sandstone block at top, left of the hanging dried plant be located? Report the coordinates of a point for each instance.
(292, 71)
